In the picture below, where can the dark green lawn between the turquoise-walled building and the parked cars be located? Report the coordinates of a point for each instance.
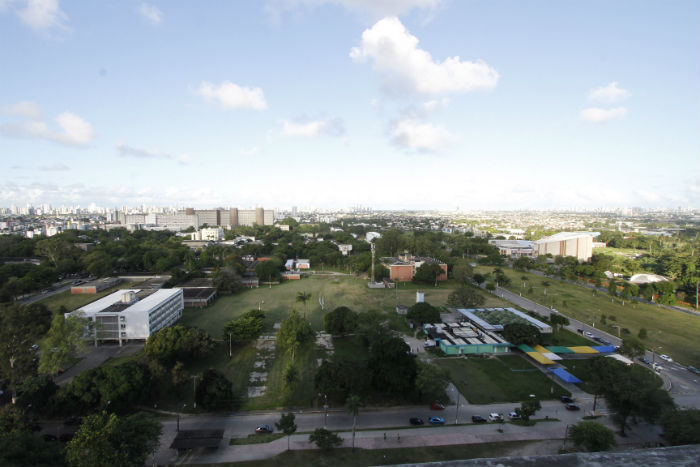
(499, 379)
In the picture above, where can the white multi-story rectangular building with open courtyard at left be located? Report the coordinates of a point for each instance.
(132, 314)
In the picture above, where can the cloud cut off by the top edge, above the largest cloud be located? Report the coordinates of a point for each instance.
(374, 8)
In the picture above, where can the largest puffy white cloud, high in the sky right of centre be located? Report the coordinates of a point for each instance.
(403, 66)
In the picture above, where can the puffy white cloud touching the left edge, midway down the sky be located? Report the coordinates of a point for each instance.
(75, 130)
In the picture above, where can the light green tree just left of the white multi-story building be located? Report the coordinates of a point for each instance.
(64, 340)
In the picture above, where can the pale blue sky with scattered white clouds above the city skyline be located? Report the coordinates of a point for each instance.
(392, 104)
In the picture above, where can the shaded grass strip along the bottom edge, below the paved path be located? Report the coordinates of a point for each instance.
(347, 457)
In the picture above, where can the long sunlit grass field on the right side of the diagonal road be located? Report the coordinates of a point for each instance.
(675, 331)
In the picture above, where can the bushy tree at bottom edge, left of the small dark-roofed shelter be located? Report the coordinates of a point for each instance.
(108, 440)
